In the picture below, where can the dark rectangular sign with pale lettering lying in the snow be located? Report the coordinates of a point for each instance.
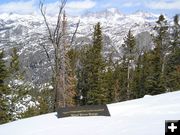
(89, 110)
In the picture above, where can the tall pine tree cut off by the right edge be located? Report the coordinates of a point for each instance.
(172, 75)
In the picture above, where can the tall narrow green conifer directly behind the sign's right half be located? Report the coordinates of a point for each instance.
(96, 93)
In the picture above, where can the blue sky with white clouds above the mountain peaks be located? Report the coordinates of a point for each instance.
(78, 7)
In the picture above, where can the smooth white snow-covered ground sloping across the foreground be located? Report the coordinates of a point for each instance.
(145, 116)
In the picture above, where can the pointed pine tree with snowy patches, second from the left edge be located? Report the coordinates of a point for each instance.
(17, 85)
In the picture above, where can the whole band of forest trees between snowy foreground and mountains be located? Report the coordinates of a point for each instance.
(85, 76)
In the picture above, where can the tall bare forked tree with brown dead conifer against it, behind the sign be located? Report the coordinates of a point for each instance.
(62, 80)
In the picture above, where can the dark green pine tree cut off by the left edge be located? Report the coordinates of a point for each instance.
(4, 91)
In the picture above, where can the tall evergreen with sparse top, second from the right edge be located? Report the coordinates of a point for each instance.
(155, 81)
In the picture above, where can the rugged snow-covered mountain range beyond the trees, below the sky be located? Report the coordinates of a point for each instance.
(25, 32)
